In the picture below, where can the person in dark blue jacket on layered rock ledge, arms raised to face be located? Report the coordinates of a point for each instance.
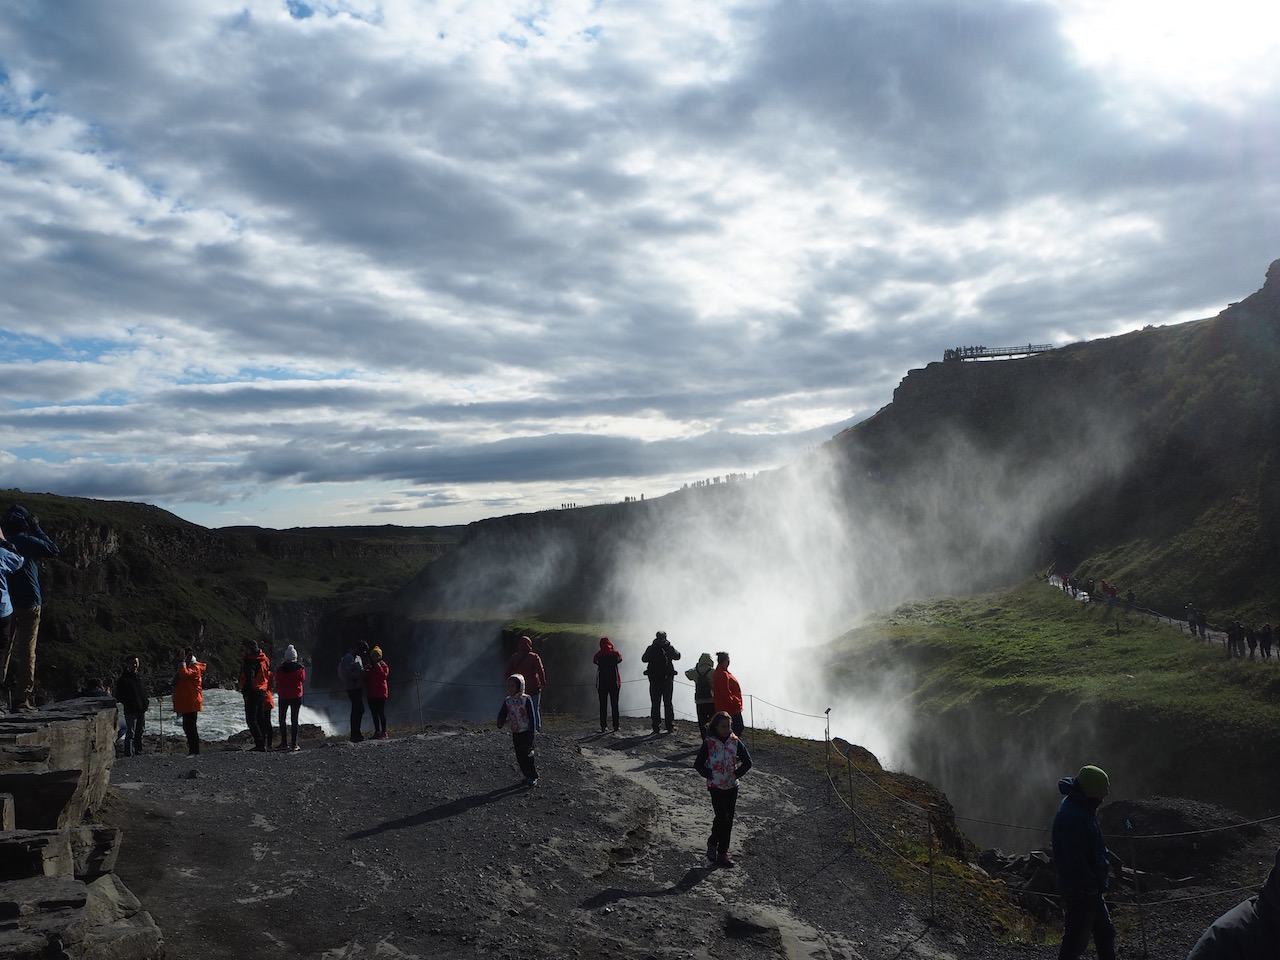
(33, 545)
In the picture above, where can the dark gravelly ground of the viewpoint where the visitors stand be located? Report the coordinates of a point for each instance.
(426, 845)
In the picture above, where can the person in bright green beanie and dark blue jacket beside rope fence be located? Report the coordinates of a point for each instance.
(1084, 866)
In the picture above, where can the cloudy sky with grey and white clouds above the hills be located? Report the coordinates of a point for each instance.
(351, 262)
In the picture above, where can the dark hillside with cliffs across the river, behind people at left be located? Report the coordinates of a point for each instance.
(136, 579)
